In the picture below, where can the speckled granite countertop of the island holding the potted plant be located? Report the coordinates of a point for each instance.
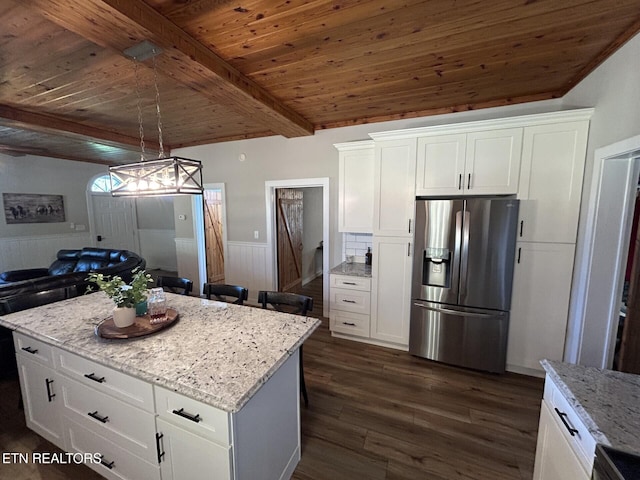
(217, 353)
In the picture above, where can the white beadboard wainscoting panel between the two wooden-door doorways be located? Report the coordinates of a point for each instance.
(247, 265)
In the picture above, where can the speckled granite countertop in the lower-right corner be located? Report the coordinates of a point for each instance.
(608, 402)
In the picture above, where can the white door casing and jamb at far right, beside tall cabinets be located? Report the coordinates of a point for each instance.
(601, 265)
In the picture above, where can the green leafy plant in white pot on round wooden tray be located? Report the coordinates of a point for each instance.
(125, 296)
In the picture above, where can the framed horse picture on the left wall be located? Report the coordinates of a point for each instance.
(33, 208)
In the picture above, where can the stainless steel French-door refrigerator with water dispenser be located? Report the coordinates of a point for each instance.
(462, 274)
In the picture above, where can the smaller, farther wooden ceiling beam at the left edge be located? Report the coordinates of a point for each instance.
(37, 122)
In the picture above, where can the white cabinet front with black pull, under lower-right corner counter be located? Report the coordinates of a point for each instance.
(565, 448)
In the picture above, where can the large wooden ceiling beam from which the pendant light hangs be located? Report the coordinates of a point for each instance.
(121, 24)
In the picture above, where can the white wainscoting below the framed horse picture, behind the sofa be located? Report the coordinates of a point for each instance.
(37, 251)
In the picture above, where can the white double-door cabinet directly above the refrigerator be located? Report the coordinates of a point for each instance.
(475, 163)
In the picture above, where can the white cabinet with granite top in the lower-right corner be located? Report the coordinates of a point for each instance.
(583, 407)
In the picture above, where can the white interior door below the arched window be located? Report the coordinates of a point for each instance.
(115, 222)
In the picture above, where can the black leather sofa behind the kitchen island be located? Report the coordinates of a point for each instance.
(65, 278)
